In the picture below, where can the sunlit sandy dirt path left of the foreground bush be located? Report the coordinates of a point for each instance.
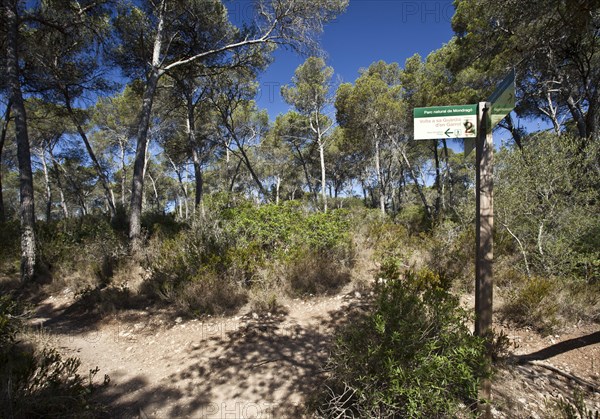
(162, 366)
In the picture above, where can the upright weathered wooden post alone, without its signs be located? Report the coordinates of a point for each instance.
(484, 235)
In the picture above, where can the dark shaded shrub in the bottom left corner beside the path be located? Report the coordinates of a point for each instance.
(37, 383)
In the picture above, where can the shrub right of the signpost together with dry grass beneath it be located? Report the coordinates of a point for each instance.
(546, 207)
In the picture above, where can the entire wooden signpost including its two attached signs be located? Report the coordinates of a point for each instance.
(488, 114)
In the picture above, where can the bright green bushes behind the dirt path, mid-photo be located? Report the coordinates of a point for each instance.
(230, 250)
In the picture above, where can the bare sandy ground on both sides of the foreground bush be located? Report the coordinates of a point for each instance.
(250, 365)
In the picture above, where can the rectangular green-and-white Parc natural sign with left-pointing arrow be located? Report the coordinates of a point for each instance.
(457, 121)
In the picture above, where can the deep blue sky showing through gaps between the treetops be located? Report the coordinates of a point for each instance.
(369, 30)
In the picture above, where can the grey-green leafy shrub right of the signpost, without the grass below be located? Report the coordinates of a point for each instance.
(546, 198)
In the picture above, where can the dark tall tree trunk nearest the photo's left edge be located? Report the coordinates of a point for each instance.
(27, 211)
